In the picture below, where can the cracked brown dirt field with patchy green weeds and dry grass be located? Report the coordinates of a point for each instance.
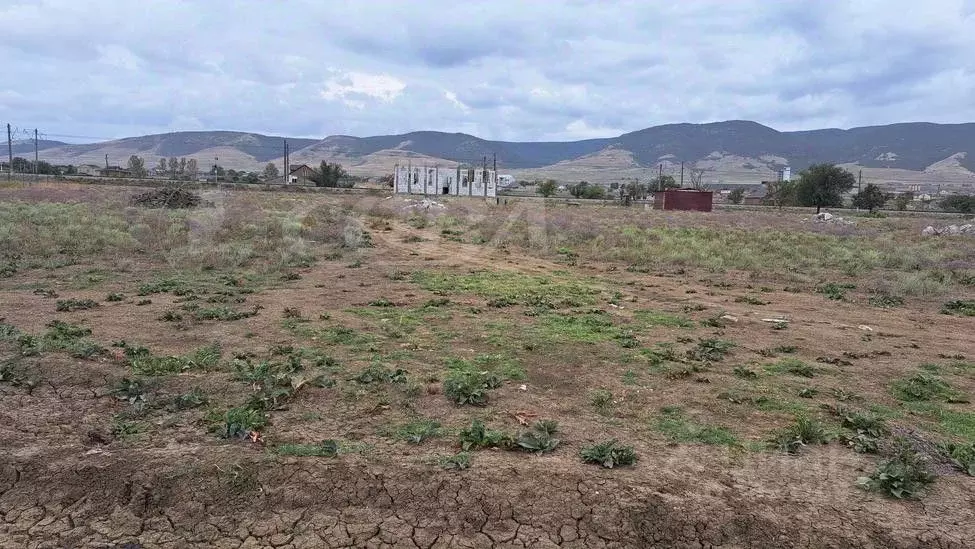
(290, 370)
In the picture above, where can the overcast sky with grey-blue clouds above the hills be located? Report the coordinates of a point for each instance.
(514, 70)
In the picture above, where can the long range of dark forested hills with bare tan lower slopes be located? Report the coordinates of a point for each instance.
(734, 151)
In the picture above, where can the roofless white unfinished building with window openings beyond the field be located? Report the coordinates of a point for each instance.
(459, 181)
